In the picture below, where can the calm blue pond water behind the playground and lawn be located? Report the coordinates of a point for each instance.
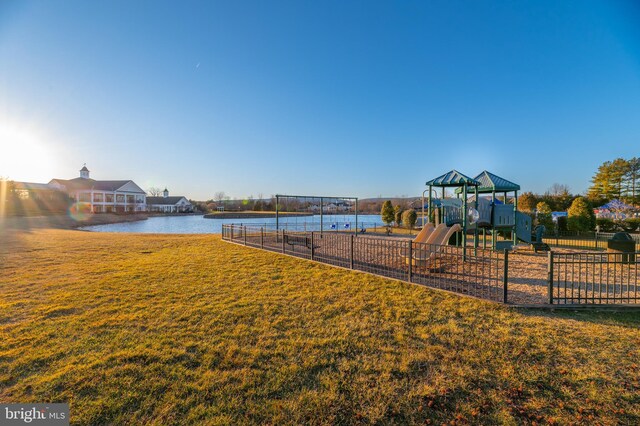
(200, 225)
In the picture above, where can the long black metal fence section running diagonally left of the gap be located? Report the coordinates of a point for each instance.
(478, 272)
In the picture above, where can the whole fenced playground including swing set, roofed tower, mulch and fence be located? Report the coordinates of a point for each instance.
(444, 256)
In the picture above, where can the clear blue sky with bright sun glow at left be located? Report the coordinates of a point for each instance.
(329, 97)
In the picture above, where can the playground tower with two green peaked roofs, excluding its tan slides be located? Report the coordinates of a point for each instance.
(474, 213)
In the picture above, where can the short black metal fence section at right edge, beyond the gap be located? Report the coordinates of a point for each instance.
(593, 278)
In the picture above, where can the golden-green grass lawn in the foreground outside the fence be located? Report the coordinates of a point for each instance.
(169, 329)
